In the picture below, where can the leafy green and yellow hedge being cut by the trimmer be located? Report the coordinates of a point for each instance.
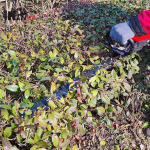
(49, 50)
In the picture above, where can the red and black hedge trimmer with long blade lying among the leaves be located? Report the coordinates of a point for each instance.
(117, 51)
